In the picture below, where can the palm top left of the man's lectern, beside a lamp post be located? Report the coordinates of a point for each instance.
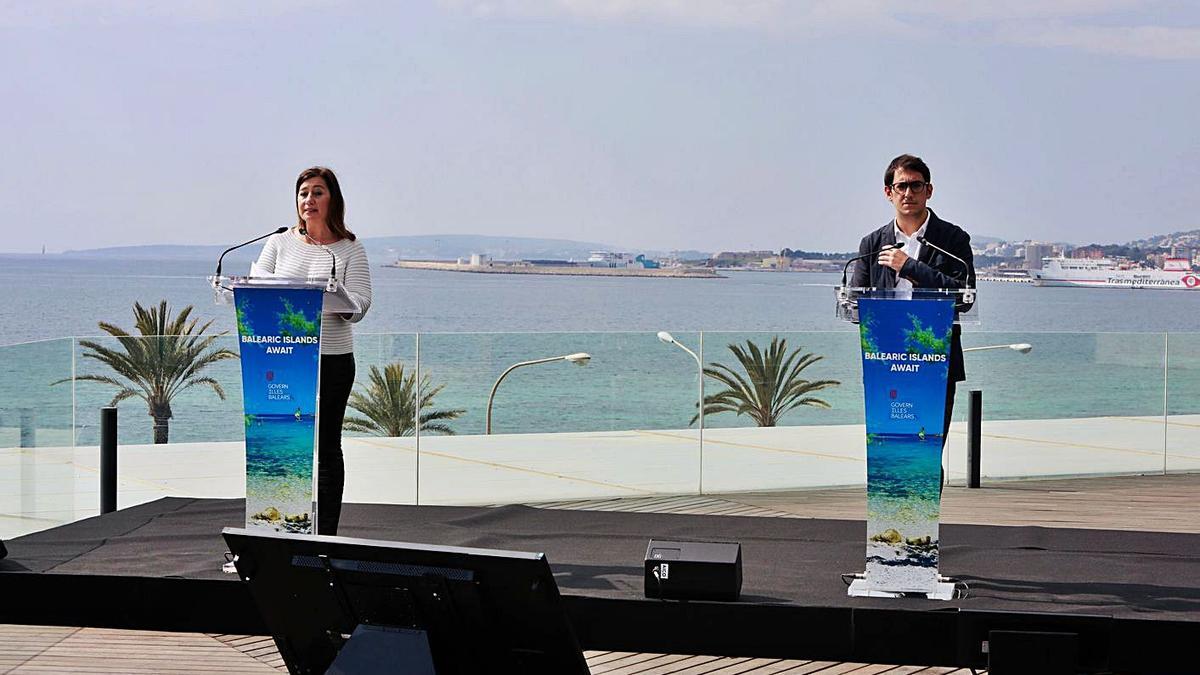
(771, 387)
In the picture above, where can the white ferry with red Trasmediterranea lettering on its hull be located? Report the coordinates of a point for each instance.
(1107, 273)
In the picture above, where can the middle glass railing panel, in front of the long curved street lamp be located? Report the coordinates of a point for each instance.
(608, 417)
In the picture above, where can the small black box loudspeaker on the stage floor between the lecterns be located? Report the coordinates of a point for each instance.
(701, 571)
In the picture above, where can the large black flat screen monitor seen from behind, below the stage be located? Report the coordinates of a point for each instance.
(478, 611)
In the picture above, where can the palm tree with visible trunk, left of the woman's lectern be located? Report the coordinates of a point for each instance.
(164, 360)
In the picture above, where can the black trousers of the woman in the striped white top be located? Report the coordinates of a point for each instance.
(337, 381)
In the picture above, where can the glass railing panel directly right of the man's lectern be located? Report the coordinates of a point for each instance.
(1076, 404)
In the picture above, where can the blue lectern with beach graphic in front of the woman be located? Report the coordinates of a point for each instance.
(279, 338)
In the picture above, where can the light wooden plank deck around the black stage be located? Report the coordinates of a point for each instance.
(1166, 504)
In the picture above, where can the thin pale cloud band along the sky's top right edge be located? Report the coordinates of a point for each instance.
(1107, 27)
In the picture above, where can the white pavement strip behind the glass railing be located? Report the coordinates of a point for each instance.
(43, 488)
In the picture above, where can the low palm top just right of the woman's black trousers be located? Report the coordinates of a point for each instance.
(389, 401)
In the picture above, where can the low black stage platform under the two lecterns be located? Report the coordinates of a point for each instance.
(1131, 600)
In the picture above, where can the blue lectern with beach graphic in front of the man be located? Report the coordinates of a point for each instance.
(905, 339)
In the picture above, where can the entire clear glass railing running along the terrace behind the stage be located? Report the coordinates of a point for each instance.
(622, 422)
